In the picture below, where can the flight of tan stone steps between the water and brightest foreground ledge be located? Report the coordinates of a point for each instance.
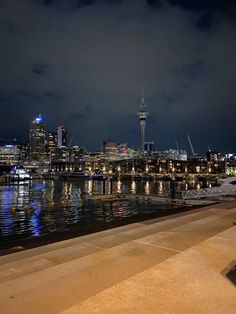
(71, 271)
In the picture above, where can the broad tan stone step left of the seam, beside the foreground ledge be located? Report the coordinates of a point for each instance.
(79, 278)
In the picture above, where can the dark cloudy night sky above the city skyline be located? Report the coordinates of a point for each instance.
(80, 63)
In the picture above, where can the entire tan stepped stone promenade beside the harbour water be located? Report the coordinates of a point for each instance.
(172, 264)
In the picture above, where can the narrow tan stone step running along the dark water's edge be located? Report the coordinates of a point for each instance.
(78, 247)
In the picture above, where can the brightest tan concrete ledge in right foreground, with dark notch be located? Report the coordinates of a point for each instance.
(190, 282)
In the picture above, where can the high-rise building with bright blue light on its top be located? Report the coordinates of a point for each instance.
(37, 138)
